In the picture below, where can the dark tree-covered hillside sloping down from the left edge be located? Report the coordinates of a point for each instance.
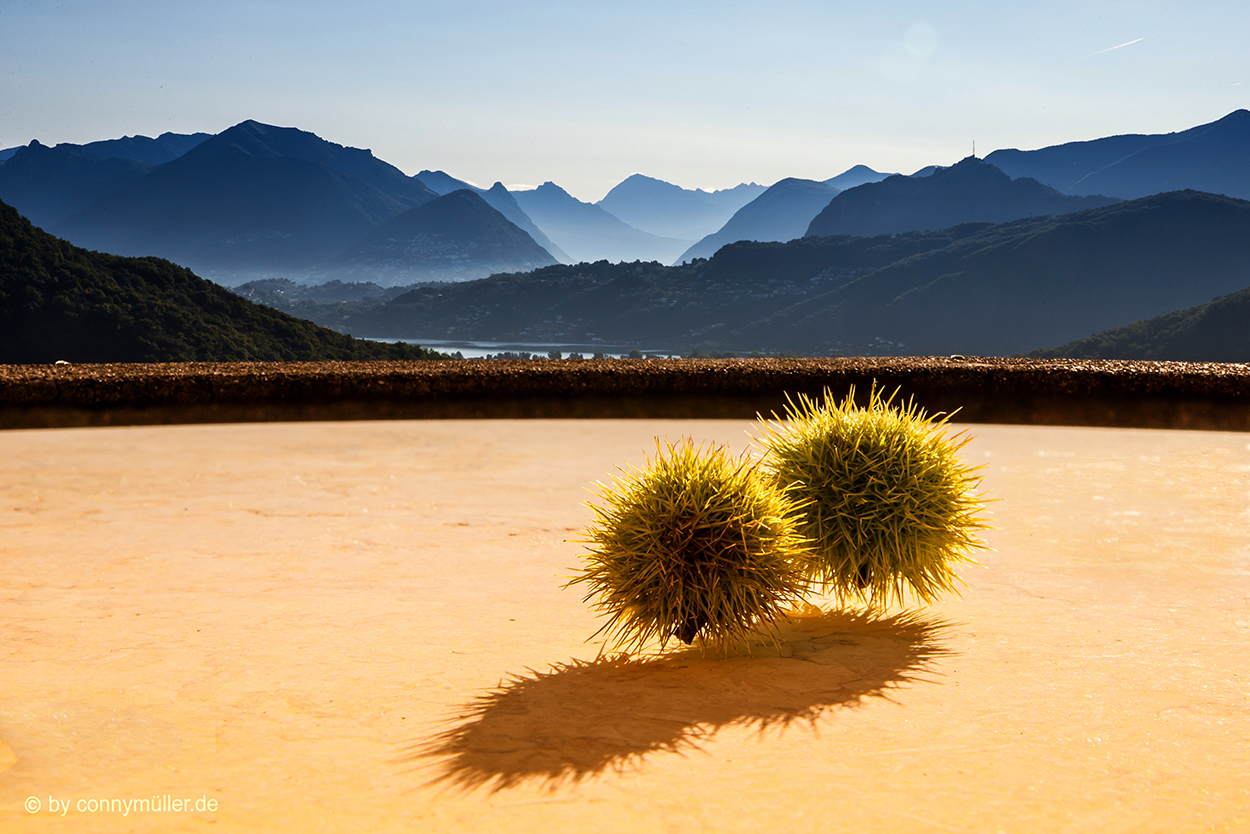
(59, 302)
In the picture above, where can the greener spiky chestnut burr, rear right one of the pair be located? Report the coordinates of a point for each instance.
(889, 503)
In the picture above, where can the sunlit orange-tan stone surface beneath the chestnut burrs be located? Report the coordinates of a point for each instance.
(291, 618)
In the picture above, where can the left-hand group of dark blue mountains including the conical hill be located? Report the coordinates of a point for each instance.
(258, 199)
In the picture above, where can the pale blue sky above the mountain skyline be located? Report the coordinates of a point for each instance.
(702, 94)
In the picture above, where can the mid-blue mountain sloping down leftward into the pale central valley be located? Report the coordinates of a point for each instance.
(782, 213)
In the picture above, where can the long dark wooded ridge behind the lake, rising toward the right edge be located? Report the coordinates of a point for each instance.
(976, 289)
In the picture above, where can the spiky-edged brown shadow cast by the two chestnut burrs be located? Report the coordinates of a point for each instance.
(581, 720)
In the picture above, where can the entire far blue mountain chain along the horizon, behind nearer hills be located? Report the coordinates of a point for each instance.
(258, 201)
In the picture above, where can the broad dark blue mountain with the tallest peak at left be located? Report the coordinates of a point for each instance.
(252, 198)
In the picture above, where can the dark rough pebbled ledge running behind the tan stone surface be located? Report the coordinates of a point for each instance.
(1103, 393)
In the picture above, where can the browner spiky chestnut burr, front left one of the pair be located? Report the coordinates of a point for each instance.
(697, 545)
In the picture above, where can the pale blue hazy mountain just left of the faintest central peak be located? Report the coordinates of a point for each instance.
(587, 232)
